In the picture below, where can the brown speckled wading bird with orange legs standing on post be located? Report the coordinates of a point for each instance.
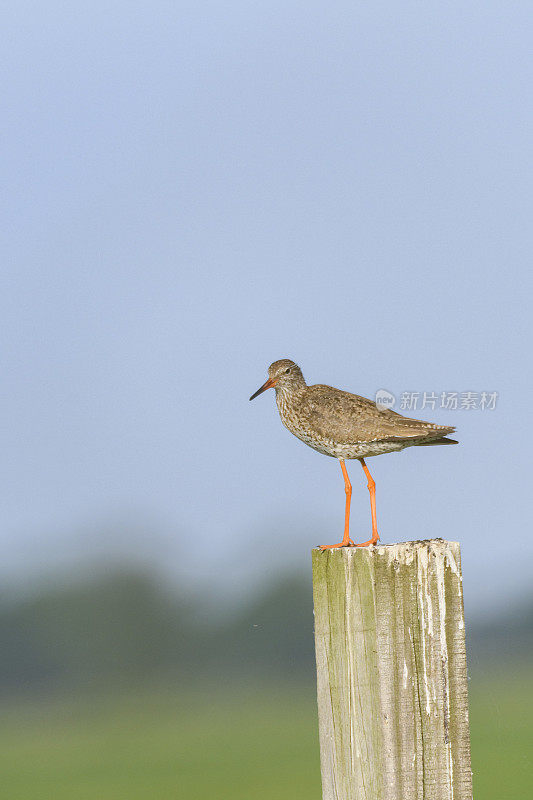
(345, 426)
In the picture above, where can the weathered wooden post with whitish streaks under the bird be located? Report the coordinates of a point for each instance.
(391, 668)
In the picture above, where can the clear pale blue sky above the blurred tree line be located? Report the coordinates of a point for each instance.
(191, 191)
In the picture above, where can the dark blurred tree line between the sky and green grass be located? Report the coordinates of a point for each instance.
(128, 627)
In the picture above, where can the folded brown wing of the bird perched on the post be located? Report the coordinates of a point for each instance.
(349, 418)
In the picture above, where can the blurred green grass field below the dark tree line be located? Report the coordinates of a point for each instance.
(252, 743)
